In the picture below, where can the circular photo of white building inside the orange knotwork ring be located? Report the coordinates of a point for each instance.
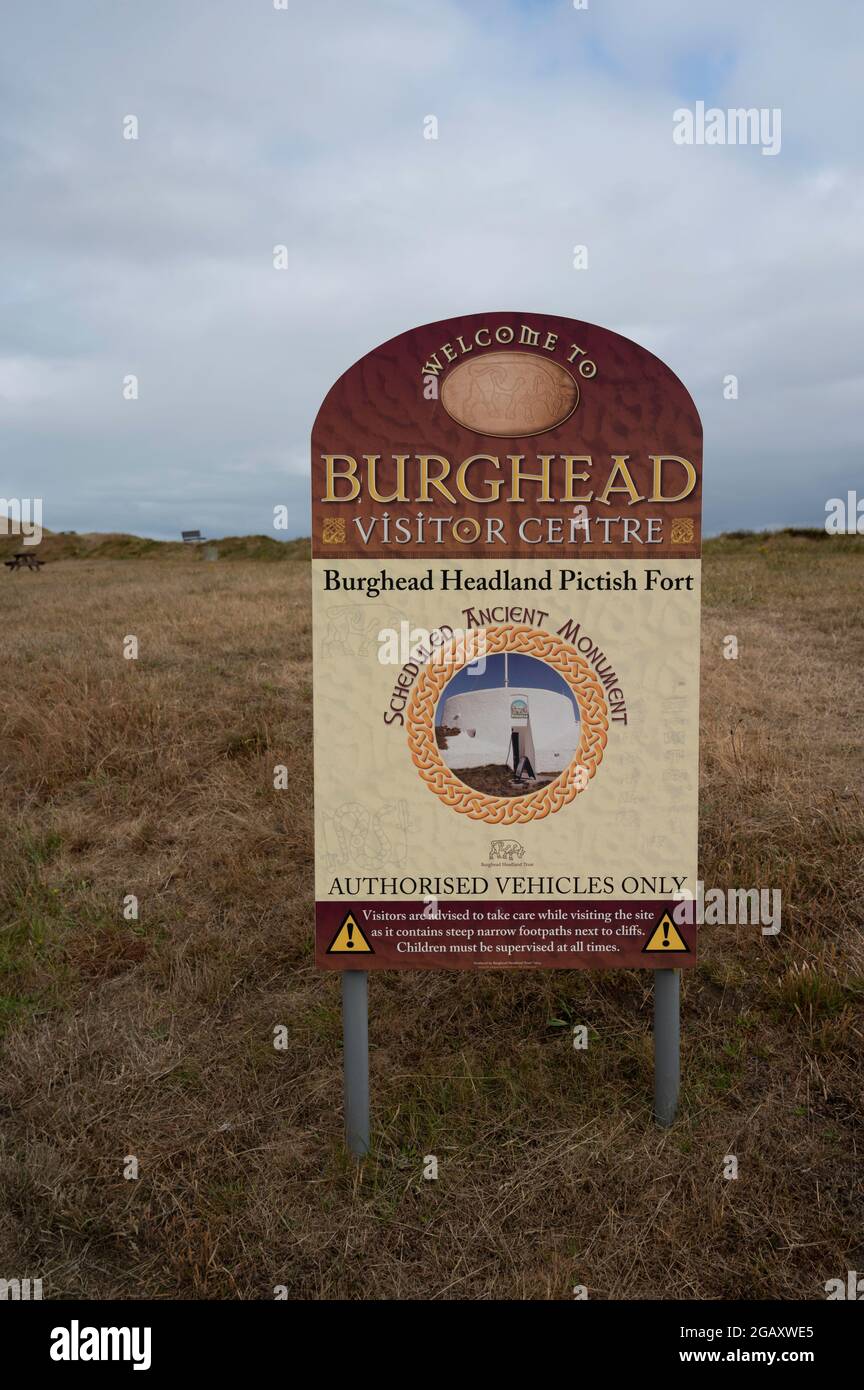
(508, 725)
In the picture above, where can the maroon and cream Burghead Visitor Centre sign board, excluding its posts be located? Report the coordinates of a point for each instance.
(506, 575)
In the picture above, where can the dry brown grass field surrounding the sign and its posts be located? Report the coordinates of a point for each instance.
(155, 1038)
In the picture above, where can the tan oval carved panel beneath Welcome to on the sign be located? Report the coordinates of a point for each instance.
(510, 394)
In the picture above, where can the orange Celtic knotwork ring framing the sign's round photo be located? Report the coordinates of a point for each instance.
(544, 801)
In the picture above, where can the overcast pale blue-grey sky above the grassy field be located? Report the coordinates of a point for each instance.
(305, 127)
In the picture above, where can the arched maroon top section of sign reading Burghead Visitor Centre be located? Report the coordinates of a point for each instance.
(508, 434)
